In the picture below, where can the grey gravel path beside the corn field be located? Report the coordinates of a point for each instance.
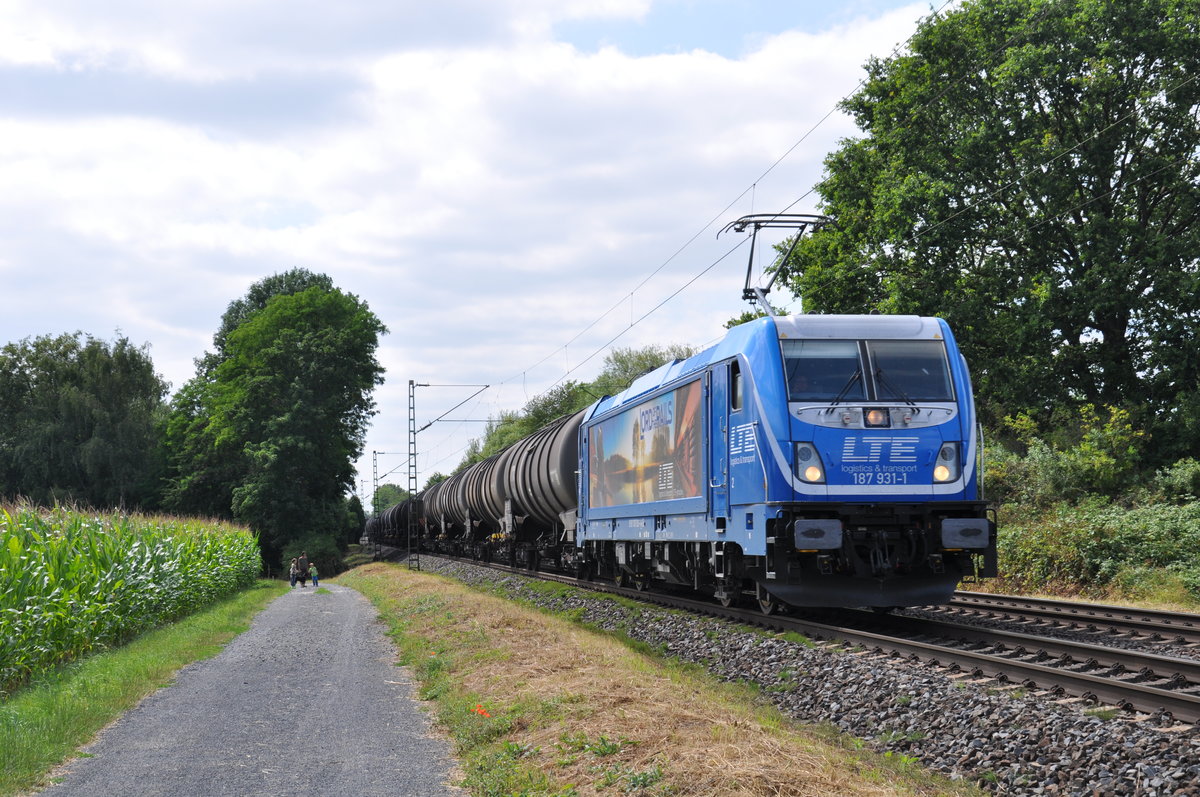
(279, 712)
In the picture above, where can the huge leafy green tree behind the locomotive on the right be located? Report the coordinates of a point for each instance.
(1030, 170)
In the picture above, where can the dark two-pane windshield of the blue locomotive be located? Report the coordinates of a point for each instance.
(880, 370)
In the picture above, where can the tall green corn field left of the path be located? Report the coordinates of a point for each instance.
(73, 584)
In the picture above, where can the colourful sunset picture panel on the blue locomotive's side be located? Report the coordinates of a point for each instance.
(652, 452)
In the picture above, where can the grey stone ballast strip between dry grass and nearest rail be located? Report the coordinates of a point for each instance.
(1000, 738)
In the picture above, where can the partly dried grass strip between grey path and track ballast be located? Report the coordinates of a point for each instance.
(541, 706)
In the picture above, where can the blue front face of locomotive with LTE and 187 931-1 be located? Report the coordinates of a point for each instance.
(881, 504)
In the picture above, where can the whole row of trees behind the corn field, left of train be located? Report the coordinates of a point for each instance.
(265, 434)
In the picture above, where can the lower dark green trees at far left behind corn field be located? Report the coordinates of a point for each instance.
(80, 422)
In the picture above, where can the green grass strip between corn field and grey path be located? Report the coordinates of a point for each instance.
(45, 723)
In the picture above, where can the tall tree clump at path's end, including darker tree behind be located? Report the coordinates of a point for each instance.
(274, 420)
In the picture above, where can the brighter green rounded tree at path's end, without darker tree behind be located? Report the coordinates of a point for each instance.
(296, 391)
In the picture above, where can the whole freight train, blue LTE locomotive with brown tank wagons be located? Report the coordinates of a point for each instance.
(808, 460)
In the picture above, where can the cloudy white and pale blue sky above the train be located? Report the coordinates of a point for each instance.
(513, 187)
